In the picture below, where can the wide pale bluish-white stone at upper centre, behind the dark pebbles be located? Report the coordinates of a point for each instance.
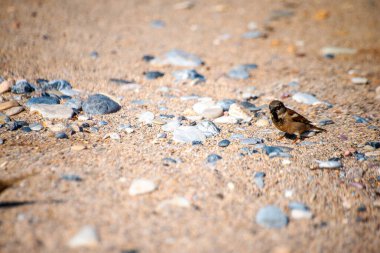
(178, 58)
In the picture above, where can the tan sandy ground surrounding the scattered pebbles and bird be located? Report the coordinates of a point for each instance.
(54, 39)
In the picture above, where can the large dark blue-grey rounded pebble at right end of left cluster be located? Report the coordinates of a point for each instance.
(100, 104)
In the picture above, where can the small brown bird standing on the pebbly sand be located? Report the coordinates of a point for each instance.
(289, 121)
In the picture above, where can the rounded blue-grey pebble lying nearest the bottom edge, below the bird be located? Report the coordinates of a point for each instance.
(271, 217)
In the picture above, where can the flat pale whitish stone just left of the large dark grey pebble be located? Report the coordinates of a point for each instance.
(53, 111)
